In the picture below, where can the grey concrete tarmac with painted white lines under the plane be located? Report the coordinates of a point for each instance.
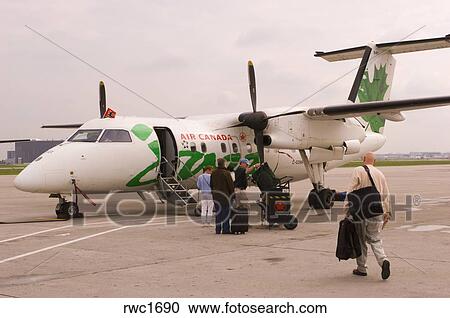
(171, 255)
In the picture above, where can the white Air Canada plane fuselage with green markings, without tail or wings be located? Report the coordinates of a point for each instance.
(191, 144)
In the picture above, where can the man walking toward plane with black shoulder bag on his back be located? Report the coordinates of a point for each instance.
(368, 204)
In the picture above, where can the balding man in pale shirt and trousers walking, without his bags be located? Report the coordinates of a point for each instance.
(369, 229)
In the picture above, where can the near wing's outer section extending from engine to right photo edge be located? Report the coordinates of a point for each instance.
(375, 108)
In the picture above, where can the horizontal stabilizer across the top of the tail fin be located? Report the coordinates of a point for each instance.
(392, 47)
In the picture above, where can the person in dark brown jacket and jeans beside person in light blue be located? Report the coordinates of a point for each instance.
(222, 188)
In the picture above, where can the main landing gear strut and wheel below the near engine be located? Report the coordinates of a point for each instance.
(319, 197)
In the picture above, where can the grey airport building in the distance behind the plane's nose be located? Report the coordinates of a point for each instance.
(27, 151)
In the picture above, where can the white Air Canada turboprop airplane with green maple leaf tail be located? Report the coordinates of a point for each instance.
(136, 154)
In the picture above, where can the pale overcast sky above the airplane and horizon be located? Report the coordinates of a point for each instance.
(190, 58)
